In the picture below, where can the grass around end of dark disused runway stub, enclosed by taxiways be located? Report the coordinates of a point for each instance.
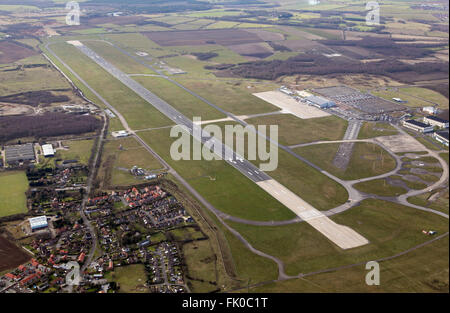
(367, 160)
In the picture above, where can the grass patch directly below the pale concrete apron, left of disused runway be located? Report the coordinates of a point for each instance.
(293, 130)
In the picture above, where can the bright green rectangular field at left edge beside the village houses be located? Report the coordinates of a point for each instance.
(13, 186)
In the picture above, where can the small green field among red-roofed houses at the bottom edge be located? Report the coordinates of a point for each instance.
(130, 278)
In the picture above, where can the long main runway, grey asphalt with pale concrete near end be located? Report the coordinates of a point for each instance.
(342, 236)
